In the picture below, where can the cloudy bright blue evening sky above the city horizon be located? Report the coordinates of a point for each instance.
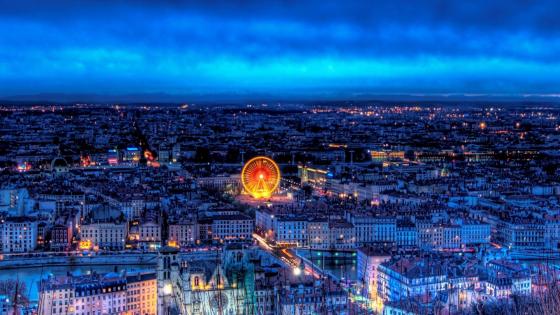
(254, 50)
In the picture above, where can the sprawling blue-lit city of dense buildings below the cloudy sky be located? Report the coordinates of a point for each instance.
(365, 209)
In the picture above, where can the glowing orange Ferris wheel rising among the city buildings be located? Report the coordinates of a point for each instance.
(260, 177)
